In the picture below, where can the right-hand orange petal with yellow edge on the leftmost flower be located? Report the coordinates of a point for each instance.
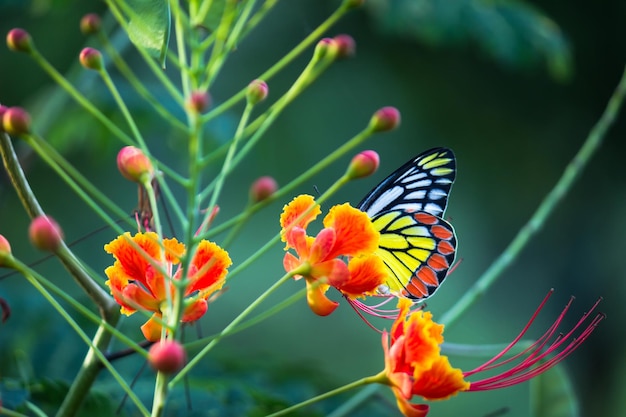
(211, 263)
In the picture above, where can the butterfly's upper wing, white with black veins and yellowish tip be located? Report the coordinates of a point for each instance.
(422, 184)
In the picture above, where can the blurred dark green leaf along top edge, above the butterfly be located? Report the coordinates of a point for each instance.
(511, 32)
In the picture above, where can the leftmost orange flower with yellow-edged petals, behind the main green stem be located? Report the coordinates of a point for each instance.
(136, 281)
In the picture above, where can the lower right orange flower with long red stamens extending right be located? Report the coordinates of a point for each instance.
(414, 364)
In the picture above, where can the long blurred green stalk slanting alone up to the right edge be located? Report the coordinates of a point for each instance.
(545, 209)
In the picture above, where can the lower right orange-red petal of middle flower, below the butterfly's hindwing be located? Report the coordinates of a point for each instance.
(367, 273)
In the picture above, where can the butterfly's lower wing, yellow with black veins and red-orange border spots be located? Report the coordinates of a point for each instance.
(417, 248)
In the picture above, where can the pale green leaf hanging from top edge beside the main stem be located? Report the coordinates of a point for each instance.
(149, 26)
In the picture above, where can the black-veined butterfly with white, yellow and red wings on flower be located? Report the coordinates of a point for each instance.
(416, 244)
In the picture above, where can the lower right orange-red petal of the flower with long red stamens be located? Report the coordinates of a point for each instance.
(440, 382)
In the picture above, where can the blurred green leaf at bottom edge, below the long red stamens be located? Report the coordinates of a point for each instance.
(552, 395)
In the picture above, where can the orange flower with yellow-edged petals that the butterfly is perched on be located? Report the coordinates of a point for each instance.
(348, 232)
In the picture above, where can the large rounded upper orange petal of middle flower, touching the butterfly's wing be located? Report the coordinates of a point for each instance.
(355, 233)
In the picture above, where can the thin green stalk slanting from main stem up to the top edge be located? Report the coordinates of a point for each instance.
(283, 62)
